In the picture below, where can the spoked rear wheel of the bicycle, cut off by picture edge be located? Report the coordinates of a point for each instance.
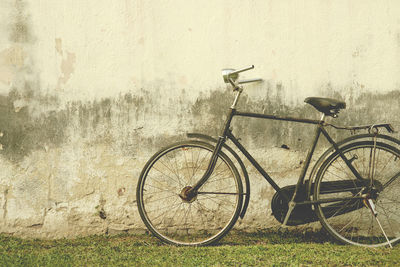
(351, 221)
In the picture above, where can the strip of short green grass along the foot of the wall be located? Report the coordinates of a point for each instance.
(237, 248)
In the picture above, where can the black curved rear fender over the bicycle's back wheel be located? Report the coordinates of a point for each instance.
(340, 144)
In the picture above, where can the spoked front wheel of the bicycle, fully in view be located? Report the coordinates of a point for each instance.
(205, 217)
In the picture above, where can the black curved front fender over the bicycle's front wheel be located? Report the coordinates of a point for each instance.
(239, 161)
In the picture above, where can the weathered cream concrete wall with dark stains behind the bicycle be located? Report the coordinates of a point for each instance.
(91, 89)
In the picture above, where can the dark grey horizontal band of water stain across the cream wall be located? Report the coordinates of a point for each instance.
(121, 120)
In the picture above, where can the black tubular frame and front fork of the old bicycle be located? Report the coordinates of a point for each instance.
(227, 134)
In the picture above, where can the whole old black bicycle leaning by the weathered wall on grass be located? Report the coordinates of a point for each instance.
(191, 192)
